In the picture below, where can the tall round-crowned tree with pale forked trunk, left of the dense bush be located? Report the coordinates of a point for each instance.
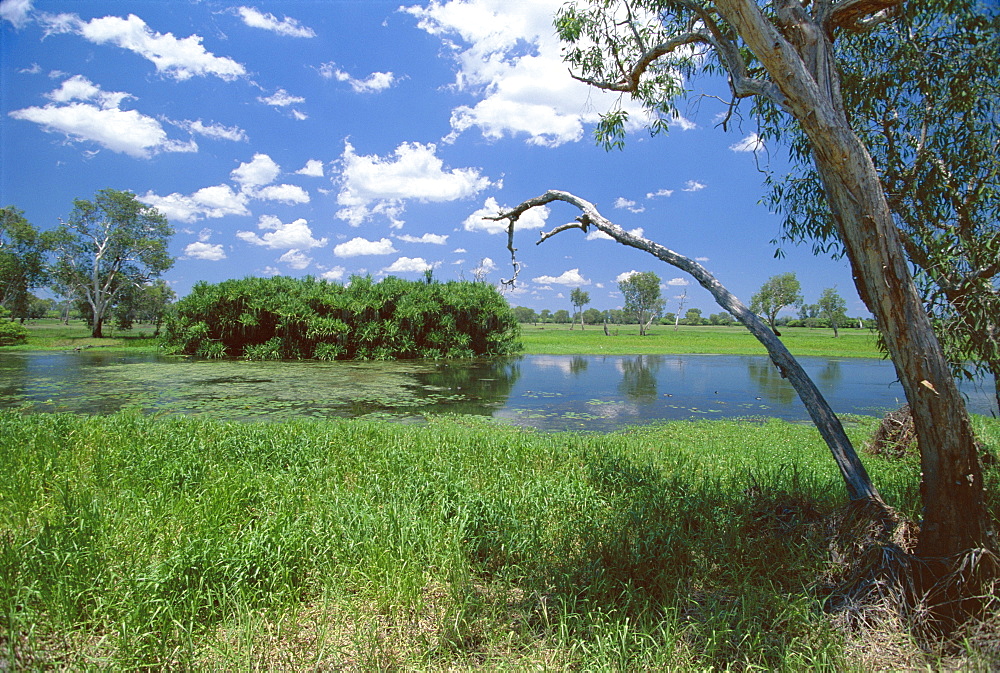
(108, 247)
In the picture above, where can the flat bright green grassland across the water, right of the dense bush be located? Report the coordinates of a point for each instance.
(625, 340)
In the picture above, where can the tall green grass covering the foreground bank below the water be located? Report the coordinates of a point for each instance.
(134, 542)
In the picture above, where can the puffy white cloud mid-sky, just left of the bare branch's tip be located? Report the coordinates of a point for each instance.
(373, 185)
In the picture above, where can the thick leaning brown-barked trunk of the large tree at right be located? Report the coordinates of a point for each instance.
(801, 62)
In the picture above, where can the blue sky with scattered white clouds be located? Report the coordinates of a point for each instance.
(367, 137)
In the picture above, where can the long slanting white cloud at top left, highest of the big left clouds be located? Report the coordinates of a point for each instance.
(178, 58)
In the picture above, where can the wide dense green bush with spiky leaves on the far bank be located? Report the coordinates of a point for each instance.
(287, 318)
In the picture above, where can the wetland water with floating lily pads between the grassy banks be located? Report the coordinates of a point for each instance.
(549, 392)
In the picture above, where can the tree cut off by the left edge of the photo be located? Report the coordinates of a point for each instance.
(22, 261)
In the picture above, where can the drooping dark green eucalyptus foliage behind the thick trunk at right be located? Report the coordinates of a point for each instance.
(923, 92)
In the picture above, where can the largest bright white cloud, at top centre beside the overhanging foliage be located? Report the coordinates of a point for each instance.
(509, 57)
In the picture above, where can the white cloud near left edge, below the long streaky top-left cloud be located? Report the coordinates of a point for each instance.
(84, 113)
